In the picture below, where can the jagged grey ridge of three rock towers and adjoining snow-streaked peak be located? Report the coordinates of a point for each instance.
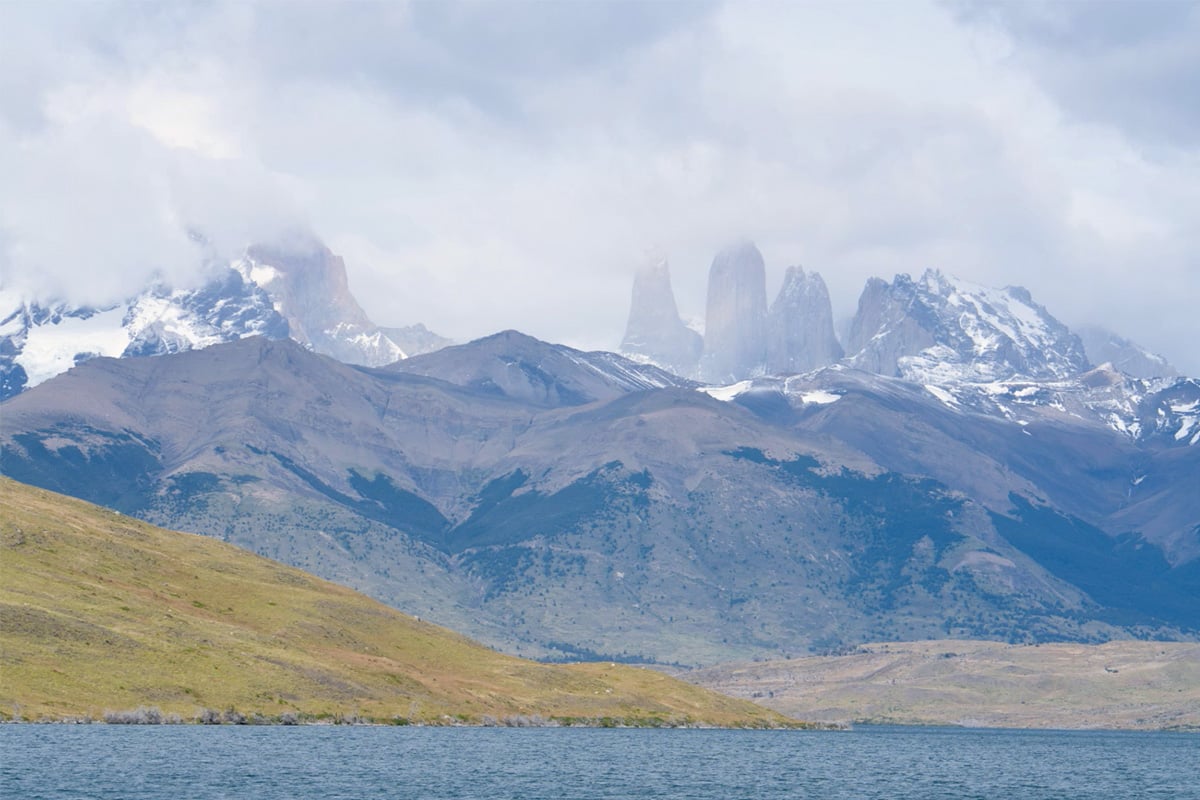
(929, 330)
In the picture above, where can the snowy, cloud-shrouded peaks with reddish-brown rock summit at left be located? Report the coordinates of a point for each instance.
(298, 290)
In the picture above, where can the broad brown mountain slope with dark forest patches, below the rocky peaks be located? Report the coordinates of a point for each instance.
(585, 513)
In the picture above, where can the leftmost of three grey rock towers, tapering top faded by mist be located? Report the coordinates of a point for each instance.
(655, 330)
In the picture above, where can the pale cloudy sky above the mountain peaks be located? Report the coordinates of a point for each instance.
(484, 166)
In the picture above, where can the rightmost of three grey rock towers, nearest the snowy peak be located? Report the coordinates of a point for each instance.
(800, 326)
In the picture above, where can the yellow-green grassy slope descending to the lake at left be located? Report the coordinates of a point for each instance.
(100, 612)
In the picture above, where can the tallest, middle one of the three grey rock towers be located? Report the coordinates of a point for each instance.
(736, 316)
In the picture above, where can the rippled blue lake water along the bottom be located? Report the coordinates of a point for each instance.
(201, 763)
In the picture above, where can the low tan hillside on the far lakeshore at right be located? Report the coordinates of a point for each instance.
(1132, 685)
